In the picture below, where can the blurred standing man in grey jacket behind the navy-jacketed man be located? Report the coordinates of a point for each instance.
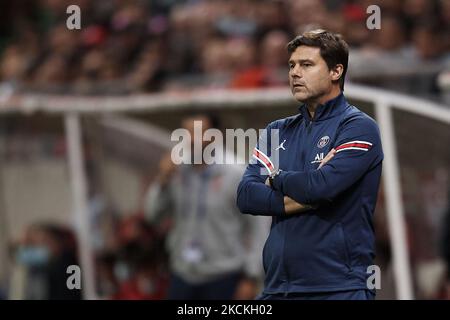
(214, 250)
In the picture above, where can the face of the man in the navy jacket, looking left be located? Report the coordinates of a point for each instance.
(309, 76)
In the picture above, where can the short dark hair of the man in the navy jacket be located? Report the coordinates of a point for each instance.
(333, 48)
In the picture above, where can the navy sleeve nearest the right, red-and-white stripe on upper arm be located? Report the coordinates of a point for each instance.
(358, 148)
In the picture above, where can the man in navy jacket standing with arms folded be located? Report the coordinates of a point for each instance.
(321, 241)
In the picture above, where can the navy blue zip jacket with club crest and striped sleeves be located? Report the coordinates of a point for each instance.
(328, 248)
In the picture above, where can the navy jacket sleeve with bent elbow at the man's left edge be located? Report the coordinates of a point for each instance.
(253, 196)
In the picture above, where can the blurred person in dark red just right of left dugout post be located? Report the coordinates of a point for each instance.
(136, 269)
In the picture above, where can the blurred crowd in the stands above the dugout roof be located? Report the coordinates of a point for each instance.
(133, 46)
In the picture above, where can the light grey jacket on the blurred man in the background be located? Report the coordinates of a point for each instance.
(203, 206)
